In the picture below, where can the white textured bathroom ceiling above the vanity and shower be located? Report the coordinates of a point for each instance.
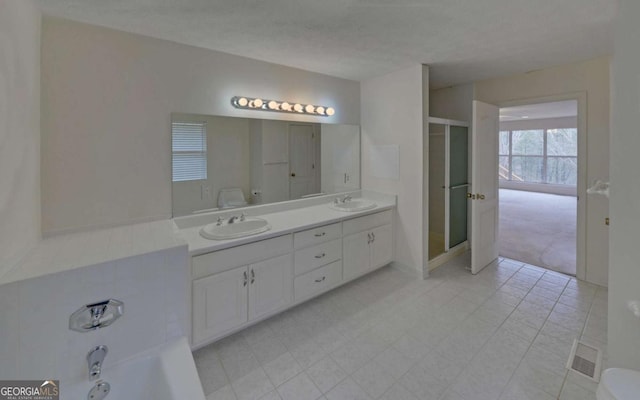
(462, 40)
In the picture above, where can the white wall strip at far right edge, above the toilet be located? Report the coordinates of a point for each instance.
(624, 273)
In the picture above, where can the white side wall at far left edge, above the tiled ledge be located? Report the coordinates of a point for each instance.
(19, 130)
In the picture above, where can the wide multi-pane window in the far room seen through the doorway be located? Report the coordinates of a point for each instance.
(539, 156)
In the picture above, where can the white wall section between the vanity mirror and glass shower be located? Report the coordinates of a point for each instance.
(399, 122)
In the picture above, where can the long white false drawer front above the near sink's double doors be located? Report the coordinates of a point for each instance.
(222, 260)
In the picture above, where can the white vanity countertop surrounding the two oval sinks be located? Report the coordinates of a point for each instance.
(282, 223)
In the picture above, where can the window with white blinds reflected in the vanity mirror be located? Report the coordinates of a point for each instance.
(189, 150)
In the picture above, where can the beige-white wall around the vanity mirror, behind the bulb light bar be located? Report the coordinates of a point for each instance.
(107, 97)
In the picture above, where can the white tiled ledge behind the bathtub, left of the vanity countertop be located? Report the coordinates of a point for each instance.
(70, 251)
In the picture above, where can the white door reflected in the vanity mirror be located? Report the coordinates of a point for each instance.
(302, 164)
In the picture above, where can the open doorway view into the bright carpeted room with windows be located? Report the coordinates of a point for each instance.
(538, 178)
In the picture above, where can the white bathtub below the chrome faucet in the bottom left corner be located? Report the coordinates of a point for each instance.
(167, 373)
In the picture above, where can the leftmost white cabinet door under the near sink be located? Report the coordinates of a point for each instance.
(219, 303)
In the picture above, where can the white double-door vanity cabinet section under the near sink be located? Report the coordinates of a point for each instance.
(225, 301)
